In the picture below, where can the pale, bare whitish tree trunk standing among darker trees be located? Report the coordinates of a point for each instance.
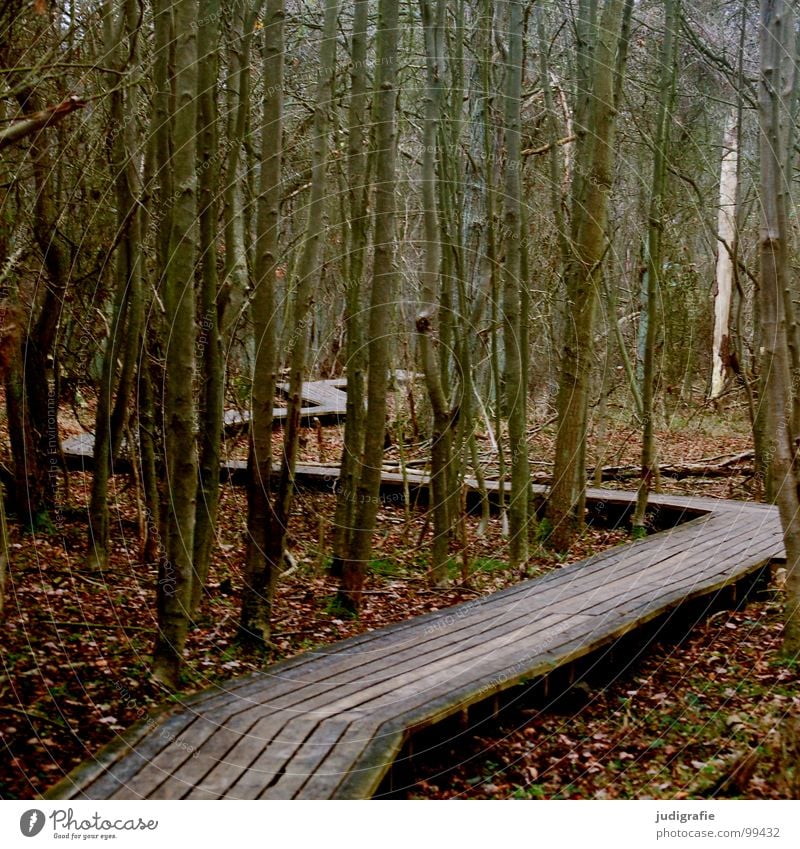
(726, 234)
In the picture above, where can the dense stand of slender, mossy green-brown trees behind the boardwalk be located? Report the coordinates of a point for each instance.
(502, 222)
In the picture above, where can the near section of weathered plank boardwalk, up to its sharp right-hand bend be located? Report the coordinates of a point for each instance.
(330, 723)
